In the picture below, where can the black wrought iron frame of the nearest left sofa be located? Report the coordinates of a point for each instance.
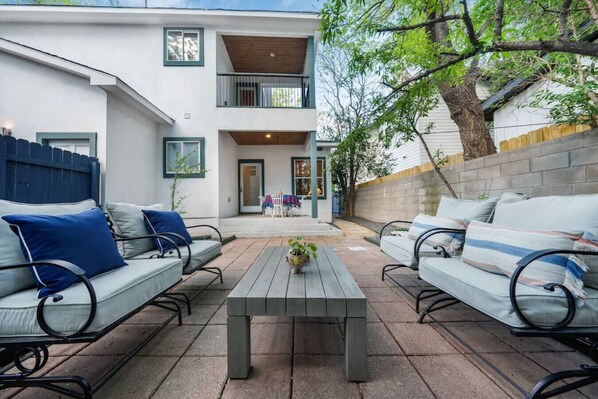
(18, 350)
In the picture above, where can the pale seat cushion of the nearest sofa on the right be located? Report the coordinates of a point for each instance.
(489, 293)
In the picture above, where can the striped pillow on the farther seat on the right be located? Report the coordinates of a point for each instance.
(451, 242)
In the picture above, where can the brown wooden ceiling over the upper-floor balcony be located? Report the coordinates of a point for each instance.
(252, 54)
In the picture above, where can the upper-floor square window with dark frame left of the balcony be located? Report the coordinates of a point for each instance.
(183, 46)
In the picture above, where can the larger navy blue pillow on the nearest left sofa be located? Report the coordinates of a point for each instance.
(81, 238)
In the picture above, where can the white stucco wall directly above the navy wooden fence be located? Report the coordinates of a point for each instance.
(37, 98)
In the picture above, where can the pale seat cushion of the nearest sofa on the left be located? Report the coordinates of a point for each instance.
(118, 292)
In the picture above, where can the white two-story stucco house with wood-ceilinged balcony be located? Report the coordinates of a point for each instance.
(235, 89)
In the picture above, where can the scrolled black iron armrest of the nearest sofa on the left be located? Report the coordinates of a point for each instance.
(71, 268)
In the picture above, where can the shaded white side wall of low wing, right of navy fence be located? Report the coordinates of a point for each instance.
(132, 144)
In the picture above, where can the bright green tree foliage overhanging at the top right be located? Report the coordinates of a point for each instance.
(401, 55)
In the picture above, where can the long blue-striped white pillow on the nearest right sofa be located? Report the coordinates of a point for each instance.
(497, 249)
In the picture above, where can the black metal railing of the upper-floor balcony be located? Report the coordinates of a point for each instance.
(263, 90)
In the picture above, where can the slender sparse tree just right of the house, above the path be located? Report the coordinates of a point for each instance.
(348, 119)
